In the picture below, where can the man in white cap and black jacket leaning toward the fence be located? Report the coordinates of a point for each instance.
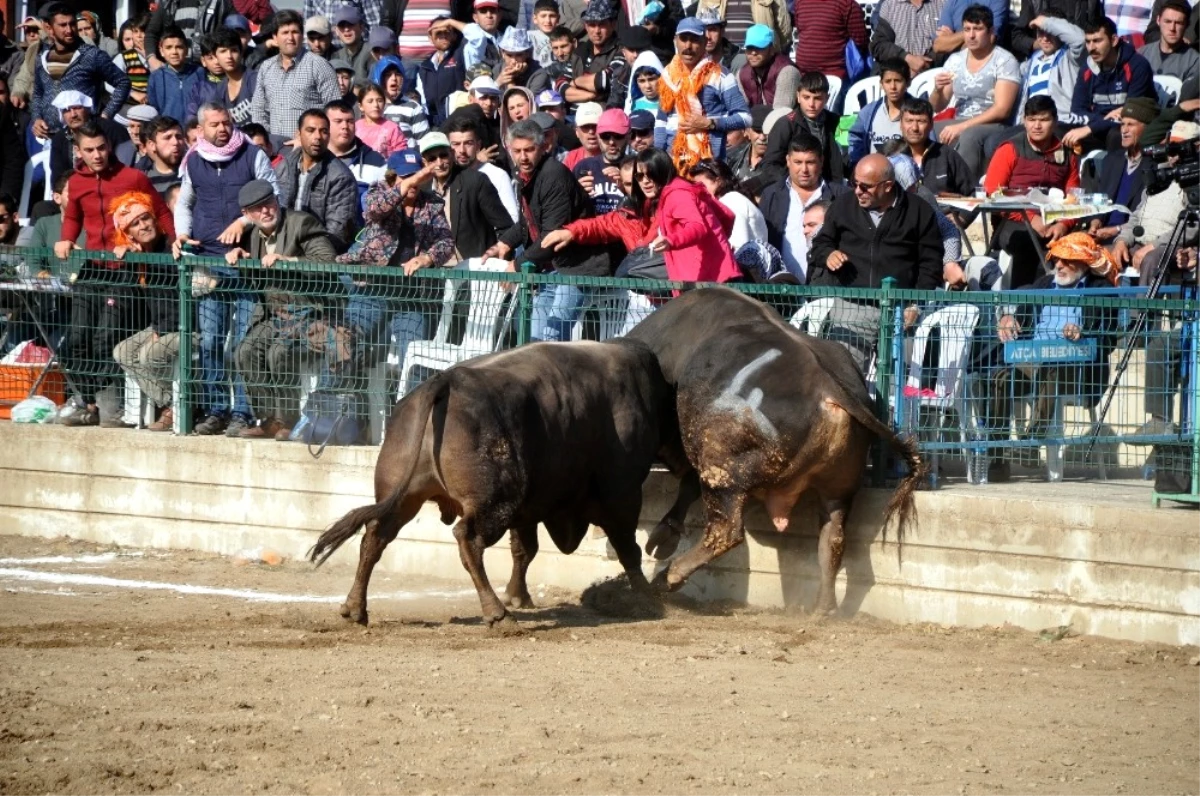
(479, 223)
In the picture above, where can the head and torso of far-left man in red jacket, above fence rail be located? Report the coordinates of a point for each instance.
(98, 181)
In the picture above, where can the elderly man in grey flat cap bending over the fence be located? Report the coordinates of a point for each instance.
(269, 358)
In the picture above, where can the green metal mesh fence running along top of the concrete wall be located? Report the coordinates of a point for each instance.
(250, 351)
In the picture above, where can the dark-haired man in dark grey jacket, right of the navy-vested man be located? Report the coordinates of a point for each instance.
(314, 179)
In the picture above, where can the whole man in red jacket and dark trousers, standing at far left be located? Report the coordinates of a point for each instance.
(106, 297)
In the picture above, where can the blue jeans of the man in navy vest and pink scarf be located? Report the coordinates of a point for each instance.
(215, 315)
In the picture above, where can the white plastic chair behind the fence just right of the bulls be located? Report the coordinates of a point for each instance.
(956, 325)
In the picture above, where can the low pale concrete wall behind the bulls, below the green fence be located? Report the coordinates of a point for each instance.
(1094, 556)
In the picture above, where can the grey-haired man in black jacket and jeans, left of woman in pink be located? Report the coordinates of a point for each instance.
(551, 199)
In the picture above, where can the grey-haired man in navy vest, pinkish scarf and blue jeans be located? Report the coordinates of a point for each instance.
(209, 222)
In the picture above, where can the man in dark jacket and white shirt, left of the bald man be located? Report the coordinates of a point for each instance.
(785, 201)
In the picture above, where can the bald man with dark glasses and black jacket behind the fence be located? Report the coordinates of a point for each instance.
(879, 231)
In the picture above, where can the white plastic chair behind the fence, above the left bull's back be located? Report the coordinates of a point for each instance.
(483, 331)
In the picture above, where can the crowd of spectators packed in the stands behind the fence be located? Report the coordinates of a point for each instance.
(573, 136)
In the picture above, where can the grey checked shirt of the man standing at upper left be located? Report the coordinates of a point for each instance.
(283, 95)
